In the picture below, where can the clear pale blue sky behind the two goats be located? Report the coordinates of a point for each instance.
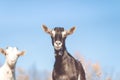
(97, 35)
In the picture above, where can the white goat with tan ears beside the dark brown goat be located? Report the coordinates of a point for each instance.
(7, 71)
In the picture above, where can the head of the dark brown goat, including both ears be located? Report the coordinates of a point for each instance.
(58, 35)
